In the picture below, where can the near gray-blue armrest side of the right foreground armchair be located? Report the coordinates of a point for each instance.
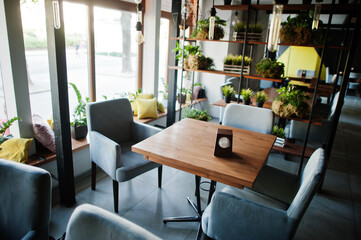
(247, 214)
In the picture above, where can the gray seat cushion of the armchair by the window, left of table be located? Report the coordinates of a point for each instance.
(132, 164)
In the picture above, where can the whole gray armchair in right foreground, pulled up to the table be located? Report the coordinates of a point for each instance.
(273, 210)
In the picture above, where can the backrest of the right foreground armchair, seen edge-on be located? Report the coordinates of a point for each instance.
(310, 180)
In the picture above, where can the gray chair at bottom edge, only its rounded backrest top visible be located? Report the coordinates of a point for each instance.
(91, 222)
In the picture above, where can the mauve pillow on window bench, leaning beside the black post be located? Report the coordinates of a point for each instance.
(43, 133)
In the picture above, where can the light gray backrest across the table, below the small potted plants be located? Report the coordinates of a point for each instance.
(248, 118)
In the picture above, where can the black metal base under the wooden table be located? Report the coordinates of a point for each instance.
(196, 207)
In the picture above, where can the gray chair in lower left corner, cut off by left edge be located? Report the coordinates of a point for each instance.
(25, 201)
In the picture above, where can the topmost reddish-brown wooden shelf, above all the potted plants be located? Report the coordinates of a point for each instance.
(295, 8)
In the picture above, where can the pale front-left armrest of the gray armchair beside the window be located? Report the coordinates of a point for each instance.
(105, 153)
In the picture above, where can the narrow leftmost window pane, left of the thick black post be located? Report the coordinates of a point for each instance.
(34, 28)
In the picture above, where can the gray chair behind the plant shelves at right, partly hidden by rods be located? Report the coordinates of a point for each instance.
(318, 134)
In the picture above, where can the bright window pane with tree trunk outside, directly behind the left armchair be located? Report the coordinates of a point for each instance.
(116, 52)
